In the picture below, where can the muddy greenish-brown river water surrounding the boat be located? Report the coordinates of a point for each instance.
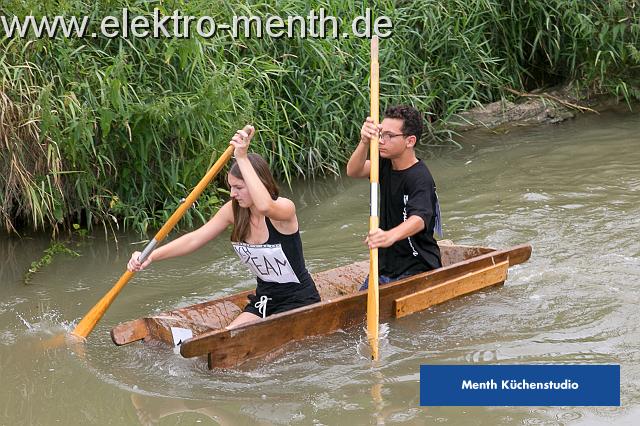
(572, 191)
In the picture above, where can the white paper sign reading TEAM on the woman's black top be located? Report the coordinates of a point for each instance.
(266, 261)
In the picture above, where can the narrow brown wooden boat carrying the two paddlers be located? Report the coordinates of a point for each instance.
(466, 269)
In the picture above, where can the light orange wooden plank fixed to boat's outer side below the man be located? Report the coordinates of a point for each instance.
(473, 281)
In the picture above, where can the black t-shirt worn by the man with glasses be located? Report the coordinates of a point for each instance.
(405, 193)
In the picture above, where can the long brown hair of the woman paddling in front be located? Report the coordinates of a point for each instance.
(242, 215)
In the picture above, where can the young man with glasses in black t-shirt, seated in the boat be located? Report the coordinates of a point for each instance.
(409, 209)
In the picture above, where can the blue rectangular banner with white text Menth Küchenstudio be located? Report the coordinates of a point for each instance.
(520, 385)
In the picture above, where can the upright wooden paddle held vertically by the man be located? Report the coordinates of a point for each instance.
(373, 308)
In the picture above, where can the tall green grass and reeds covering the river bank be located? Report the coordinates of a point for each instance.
(113, 133)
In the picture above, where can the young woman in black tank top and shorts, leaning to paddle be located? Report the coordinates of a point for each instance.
(265, 236)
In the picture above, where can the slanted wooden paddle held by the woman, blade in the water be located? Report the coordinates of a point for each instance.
(87, 324)
